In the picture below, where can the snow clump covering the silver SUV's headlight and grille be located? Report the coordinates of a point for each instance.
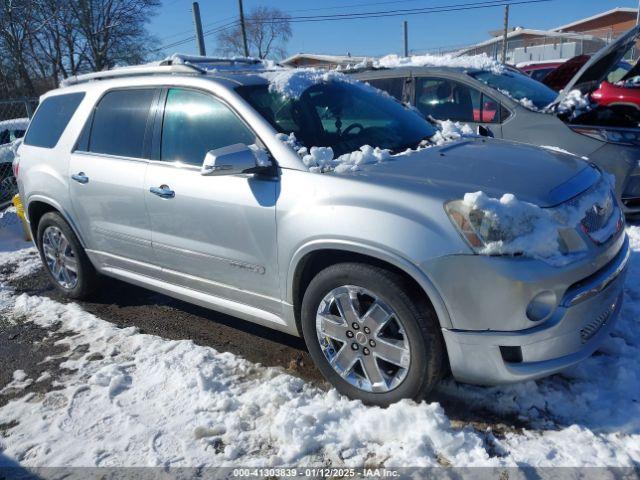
(526, 229)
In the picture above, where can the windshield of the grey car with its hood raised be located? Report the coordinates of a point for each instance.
(518, 86)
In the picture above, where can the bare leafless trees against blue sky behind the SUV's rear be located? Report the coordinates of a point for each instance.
(43, 41)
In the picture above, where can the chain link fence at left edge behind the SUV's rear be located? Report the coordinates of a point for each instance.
(14, 119)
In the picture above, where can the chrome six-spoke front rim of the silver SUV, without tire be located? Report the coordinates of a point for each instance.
(363, 339)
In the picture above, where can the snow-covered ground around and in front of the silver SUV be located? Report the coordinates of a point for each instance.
(130, 399)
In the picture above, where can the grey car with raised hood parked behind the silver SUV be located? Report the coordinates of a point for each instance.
(515, 107)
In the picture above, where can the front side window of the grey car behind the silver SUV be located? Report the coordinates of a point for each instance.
(447, 100)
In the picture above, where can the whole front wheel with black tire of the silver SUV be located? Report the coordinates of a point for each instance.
(369, 337)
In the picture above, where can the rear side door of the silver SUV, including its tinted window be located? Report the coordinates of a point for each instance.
(107, 171)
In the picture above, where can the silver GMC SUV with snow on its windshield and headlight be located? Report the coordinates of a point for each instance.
(188, 181)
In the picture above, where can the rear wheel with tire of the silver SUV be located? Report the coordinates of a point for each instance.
(64, 259)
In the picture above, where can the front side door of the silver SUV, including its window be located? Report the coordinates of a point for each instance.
(211, 233)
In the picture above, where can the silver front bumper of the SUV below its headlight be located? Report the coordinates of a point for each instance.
(586, 314)
